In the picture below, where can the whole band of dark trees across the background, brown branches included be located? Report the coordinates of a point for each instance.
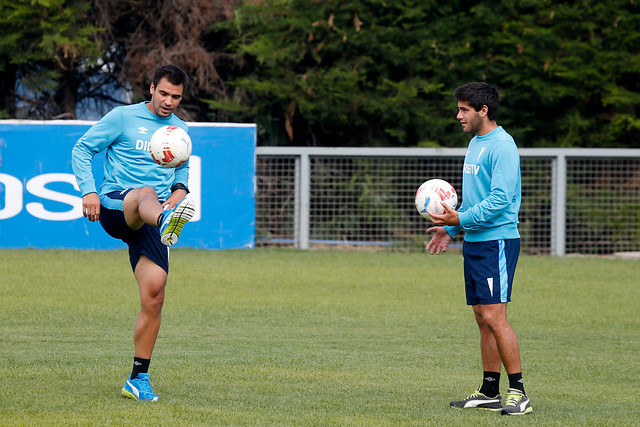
(337, 72)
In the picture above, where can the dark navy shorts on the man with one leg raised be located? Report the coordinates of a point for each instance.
(145, 241)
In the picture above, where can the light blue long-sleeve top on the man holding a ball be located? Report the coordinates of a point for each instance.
(491, 189)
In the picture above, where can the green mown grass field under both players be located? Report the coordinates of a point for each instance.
(285, 337)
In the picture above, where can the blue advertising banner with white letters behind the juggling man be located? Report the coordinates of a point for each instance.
(41, 204)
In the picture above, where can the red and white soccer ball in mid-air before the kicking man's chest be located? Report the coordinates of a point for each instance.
(170, 146)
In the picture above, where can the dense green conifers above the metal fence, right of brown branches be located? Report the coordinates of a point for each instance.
(381, 73)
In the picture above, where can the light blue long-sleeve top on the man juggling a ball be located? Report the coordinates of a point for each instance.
(124, 133)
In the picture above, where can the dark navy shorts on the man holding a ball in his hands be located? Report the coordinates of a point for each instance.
(488, 270)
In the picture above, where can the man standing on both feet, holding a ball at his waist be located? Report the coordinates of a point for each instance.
(491, 191)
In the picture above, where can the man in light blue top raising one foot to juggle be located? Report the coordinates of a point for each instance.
(139, 202)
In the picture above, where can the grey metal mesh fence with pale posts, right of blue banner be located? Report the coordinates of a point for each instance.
(573, 200)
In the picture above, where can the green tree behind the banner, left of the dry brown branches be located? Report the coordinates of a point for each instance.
(44, 46)
